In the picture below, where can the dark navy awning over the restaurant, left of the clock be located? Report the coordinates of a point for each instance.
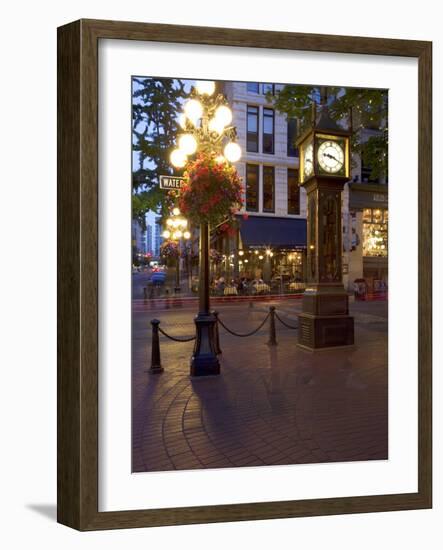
(263, 231)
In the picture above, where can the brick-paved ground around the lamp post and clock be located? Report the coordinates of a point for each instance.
(270, 405)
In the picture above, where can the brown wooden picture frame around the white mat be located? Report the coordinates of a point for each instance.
(78, 274)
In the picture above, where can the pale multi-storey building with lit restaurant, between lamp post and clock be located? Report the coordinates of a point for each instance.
(271, 238)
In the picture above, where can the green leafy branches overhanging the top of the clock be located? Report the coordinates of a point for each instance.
(363, 108)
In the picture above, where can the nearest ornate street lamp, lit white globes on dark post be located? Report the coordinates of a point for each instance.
(206, 124)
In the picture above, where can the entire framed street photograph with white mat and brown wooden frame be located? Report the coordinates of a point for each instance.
(244, 275)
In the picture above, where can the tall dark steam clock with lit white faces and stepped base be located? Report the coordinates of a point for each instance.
(324, 169)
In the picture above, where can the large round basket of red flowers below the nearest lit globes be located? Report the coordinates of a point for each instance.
(212, 191)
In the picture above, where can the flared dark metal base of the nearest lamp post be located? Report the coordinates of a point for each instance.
(204, 361)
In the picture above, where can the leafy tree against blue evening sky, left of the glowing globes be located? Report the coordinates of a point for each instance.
(155, 107)
